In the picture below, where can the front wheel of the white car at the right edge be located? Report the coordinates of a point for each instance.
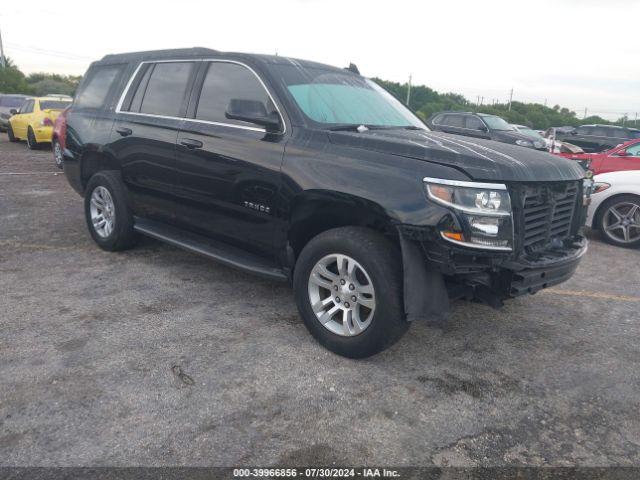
(619, 221)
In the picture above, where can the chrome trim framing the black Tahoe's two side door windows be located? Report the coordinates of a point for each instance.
(197, 120)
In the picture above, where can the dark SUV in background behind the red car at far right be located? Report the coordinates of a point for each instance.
(597, 138)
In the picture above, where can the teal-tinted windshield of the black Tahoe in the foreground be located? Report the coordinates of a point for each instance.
(329, 98)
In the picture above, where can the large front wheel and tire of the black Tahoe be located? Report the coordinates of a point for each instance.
(378, 264)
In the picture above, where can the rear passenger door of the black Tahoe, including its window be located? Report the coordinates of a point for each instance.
(145, 132)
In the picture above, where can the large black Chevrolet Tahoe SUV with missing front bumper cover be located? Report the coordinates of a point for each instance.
(315, 175)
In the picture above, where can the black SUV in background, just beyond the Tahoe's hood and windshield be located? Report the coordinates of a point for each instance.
(480, 125)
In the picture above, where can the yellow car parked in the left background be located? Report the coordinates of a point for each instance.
(34, 121)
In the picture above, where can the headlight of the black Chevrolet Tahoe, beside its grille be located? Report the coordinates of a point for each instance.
(483, 212)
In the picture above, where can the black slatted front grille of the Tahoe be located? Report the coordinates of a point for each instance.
(547, 214)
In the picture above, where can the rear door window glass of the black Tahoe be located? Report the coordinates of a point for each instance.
(166, 89)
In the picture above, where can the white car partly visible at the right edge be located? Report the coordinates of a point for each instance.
(615, 207)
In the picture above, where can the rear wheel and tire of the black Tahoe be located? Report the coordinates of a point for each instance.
(120, 235)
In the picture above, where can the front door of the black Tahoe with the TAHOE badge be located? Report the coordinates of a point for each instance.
(228, 171)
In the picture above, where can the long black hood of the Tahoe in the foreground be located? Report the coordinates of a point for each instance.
(482, 160)
